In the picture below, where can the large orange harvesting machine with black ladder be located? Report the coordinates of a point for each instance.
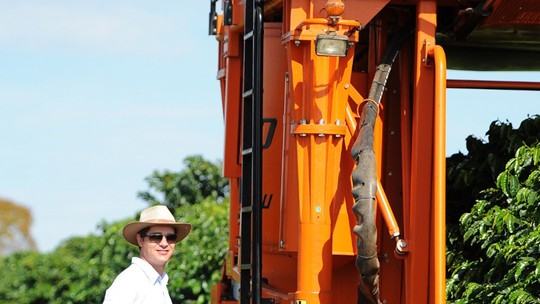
(334, 115)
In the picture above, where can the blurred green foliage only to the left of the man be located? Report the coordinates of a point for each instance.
(78, 271)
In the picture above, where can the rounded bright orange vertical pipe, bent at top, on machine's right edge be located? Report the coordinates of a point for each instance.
(439, 178)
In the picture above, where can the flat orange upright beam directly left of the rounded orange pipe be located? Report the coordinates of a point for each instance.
(417, 264)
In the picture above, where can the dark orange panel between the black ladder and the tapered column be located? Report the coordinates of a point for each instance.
(278, 266)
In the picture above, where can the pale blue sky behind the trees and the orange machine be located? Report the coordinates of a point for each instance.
(96, 95)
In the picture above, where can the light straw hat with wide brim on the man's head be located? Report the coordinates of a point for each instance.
(153, 216)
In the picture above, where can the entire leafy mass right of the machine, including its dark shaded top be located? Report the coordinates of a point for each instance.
(493, 217)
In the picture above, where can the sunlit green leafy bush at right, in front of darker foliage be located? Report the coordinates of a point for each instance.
(494, 256)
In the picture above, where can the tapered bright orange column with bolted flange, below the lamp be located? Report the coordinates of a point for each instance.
(317, 83)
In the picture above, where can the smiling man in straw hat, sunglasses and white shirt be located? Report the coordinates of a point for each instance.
(145, 281)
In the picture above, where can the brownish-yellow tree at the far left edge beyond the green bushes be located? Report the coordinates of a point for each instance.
(15, 223)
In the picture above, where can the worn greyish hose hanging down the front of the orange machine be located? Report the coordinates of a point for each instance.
(364, 178)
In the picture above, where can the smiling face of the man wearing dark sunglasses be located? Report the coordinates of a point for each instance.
(157, 253)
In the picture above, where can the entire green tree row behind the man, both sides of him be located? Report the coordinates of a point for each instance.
(82, 268)
